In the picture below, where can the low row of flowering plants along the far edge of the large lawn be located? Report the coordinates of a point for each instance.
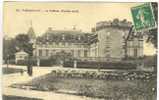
(111, 75)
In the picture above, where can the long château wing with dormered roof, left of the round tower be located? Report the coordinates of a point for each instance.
(73, 42)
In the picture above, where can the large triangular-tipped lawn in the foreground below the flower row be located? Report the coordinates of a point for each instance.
(94, 87)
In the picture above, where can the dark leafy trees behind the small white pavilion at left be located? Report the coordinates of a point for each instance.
(13, 45)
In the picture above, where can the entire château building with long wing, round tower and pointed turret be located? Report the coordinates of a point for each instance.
(109, 40)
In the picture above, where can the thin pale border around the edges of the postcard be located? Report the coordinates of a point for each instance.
(100, 1)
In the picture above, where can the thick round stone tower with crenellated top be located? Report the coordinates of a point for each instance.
(111, 38)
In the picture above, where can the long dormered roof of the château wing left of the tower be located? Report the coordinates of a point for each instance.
(72, 36)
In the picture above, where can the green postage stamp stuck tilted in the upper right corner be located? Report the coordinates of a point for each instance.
(143, 17)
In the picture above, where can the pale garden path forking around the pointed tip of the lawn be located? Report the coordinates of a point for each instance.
(9, 79)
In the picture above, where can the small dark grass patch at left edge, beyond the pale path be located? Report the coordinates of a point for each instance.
(8, 70)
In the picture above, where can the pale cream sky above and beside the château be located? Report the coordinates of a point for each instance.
(19, 16)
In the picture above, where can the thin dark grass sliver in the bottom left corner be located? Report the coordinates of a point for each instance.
(9, 97)
